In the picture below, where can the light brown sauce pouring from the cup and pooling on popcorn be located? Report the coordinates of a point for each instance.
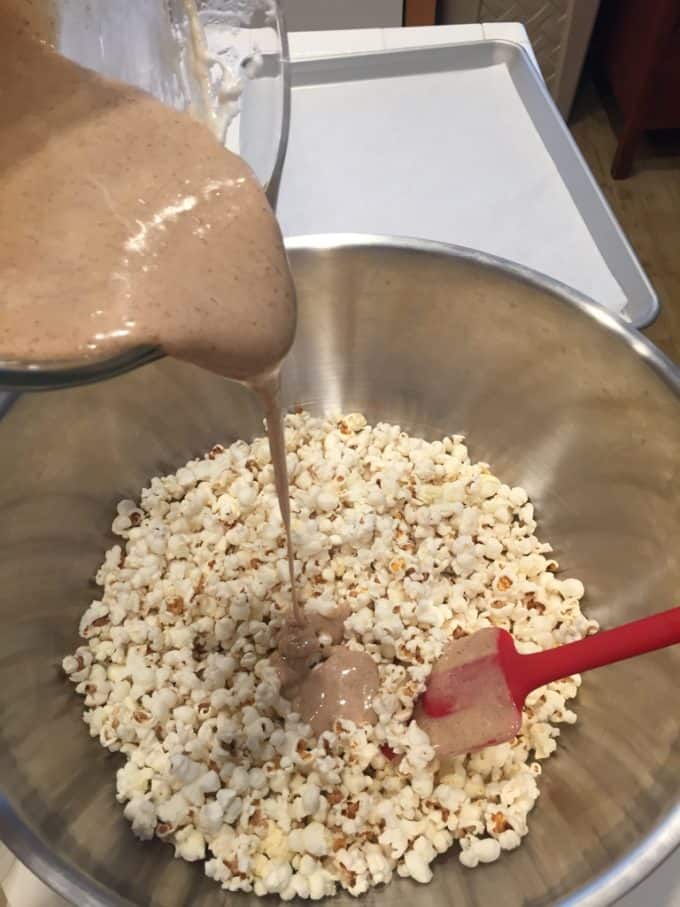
(125, 224)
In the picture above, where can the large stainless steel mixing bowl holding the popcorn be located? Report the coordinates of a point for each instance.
(557, 395)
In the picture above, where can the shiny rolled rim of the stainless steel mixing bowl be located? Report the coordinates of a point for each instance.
(635, 864)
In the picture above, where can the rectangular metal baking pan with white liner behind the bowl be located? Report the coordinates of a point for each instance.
(459, 143)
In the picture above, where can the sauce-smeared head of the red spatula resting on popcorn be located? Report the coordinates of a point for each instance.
(468, 703)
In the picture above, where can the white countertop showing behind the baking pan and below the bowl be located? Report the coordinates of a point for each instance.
(662, 888)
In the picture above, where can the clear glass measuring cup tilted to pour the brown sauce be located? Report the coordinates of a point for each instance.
(225, 61)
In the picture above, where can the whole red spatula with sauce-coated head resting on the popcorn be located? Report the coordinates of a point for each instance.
(477, 688)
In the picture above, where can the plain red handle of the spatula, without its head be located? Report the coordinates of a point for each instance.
(607, 647)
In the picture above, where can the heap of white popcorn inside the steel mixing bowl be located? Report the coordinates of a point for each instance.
(419, 544)
